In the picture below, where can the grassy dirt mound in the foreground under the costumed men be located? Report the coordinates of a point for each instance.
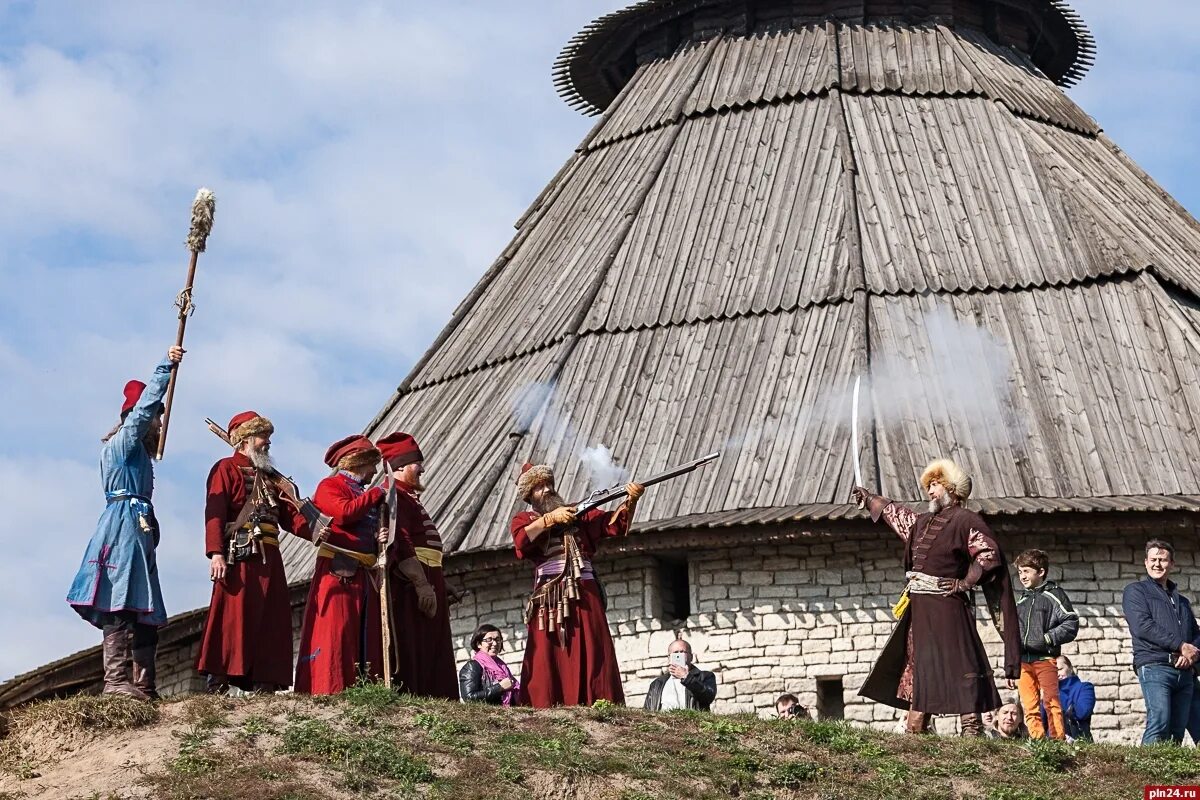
(373, 743)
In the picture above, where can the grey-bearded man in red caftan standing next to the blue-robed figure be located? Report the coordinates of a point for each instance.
(248, 636)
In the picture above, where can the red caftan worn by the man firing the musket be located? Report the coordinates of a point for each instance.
(578, 664)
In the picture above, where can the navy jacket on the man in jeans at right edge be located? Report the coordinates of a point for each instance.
(1161, 621)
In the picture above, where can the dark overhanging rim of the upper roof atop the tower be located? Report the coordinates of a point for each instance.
(602, 59)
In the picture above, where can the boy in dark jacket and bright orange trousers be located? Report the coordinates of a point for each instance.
(1048, 622)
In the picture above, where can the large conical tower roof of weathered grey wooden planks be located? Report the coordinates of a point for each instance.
(759, 219)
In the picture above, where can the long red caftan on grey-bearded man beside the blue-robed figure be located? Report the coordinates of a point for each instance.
(248, 636)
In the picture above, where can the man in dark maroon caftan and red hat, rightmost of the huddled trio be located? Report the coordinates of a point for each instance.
(423, 653)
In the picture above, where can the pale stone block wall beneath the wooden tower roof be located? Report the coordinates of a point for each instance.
(773, 618)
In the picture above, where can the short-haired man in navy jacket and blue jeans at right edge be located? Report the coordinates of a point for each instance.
(1166, 646)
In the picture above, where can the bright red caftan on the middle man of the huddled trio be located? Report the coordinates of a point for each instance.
(341, 619)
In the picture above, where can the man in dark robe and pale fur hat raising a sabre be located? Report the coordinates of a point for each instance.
(934, 661)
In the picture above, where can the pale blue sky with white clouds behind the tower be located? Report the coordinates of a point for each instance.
(369, 163)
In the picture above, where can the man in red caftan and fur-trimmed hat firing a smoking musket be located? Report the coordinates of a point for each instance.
(569, 658)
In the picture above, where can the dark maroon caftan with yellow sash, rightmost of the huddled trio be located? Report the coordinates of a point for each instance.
(423, 653)
